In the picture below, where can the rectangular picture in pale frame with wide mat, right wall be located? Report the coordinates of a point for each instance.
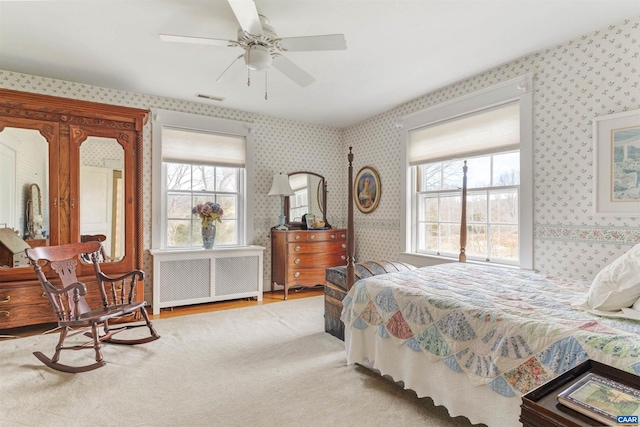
(616, 163)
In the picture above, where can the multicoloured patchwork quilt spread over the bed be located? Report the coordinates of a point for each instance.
(504, 328)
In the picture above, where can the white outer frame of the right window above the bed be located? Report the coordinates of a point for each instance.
(520, 90)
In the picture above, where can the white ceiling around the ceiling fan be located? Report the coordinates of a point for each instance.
(397, 50)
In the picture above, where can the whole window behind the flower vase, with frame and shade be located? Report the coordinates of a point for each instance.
(199, 159)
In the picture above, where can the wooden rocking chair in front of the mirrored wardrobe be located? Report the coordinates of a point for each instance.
(72, 310)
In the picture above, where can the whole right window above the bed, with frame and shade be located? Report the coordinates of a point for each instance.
(491, 131)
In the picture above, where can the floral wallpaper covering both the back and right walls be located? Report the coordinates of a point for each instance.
(594, 75)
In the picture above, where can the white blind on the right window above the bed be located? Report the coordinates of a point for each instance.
(480, 133)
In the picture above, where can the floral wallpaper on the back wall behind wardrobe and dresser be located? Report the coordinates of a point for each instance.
(280, 146)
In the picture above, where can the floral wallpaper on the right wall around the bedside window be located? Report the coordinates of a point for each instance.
(594, 75)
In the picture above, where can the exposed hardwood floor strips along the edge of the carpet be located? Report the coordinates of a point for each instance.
(267, 298)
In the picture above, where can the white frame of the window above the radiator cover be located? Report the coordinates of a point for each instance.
(200, 123)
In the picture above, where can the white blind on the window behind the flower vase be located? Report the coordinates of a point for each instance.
(192, 146)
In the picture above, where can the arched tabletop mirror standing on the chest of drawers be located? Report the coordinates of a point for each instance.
(310, 197)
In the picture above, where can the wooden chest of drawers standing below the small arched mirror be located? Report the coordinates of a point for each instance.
(300, 257)
